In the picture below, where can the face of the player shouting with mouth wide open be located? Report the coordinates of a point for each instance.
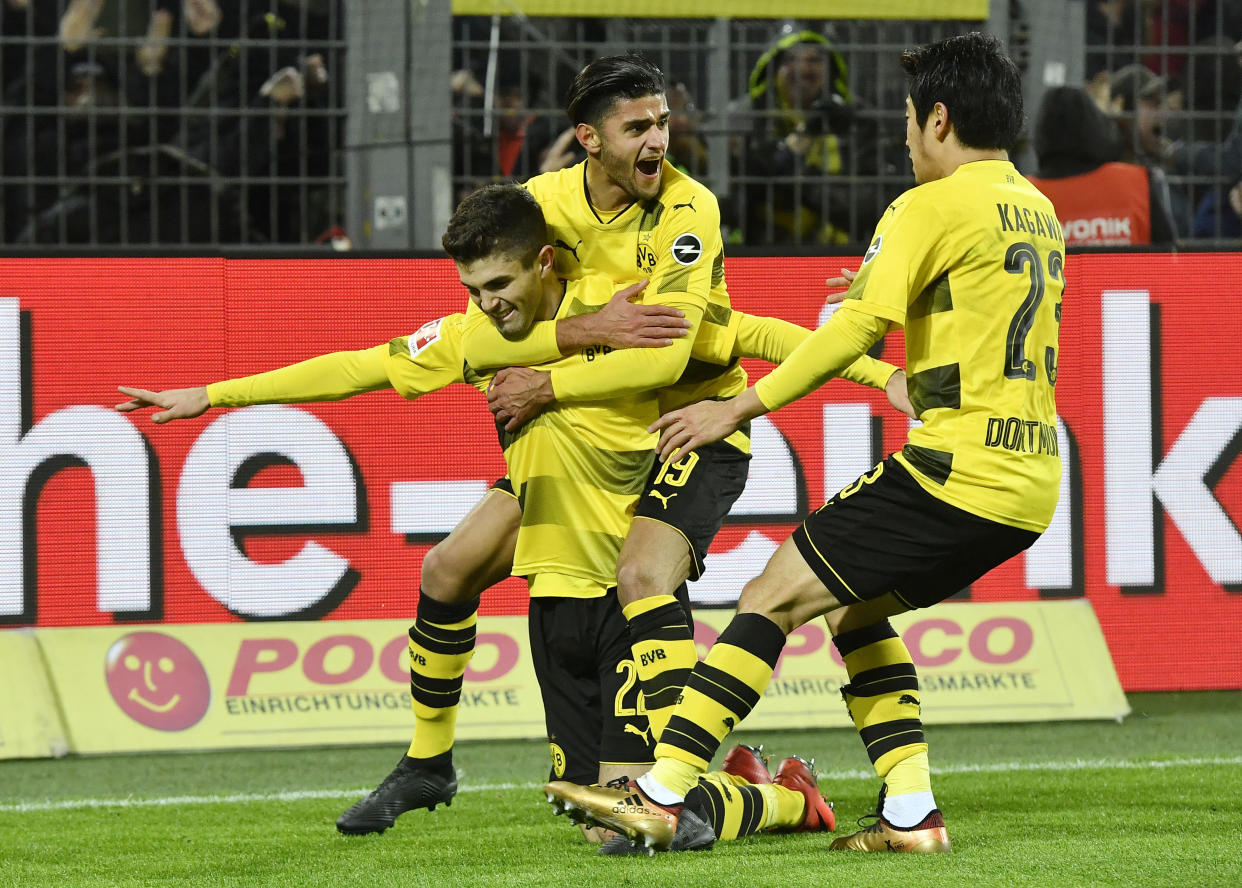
(634, 138)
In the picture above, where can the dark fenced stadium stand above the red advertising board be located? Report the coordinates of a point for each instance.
(311, 125)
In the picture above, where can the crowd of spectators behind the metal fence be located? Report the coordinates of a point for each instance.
(219, 97)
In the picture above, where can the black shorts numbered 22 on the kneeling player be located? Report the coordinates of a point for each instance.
(581, 649)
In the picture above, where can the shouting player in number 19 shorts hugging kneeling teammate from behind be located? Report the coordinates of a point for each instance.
(629, 214)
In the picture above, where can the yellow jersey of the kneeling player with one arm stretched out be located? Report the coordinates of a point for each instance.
(578, 469)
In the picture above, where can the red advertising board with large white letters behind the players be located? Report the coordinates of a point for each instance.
(326, 511)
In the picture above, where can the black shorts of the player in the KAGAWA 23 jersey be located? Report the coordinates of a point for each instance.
(885, 533)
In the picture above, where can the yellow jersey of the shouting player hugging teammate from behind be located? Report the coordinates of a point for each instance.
(675, 242)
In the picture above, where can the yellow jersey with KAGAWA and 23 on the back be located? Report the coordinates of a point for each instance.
(973, 268)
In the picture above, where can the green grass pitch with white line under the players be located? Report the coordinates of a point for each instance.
(1153, 802)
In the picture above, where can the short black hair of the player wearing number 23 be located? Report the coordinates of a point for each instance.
(977, 81)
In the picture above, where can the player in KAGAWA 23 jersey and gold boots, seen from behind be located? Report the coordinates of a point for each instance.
(971, 263)
